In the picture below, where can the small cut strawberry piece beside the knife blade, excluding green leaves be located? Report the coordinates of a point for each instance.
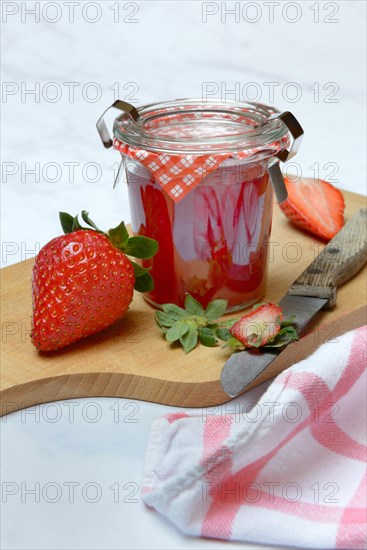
(259, 326)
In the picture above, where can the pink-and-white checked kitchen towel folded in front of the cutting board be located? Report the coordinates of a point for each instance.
(288, 470)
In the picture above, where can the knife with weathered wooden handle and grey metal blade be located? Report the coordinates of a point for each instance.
(315, 289)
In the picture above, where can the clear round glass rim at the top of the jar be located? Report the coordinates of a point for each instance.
(194, 126)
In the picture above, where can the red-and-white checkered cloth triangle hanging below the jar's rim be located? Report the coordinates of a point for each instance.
(178, 174)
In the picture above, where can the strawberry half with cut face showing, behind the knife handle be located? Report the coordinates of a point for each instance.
(314, 205)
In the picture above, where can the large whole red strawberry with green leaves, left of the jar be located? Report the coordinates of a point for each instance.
(82, 282)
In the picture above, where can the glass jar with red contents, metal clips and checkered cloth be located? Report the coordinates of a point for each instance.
(198, 179)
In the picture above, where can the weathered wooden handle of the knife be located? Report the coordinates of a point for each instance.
(338, 262)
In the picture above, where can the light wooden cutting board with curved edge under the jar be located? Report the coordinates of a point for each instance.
(132, 359)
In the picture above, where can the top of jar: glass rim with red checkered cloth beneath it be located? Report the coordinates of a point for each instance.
(183, 141)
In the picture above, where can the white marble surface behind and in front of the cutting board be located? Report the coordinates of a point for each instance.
(311, 54)
